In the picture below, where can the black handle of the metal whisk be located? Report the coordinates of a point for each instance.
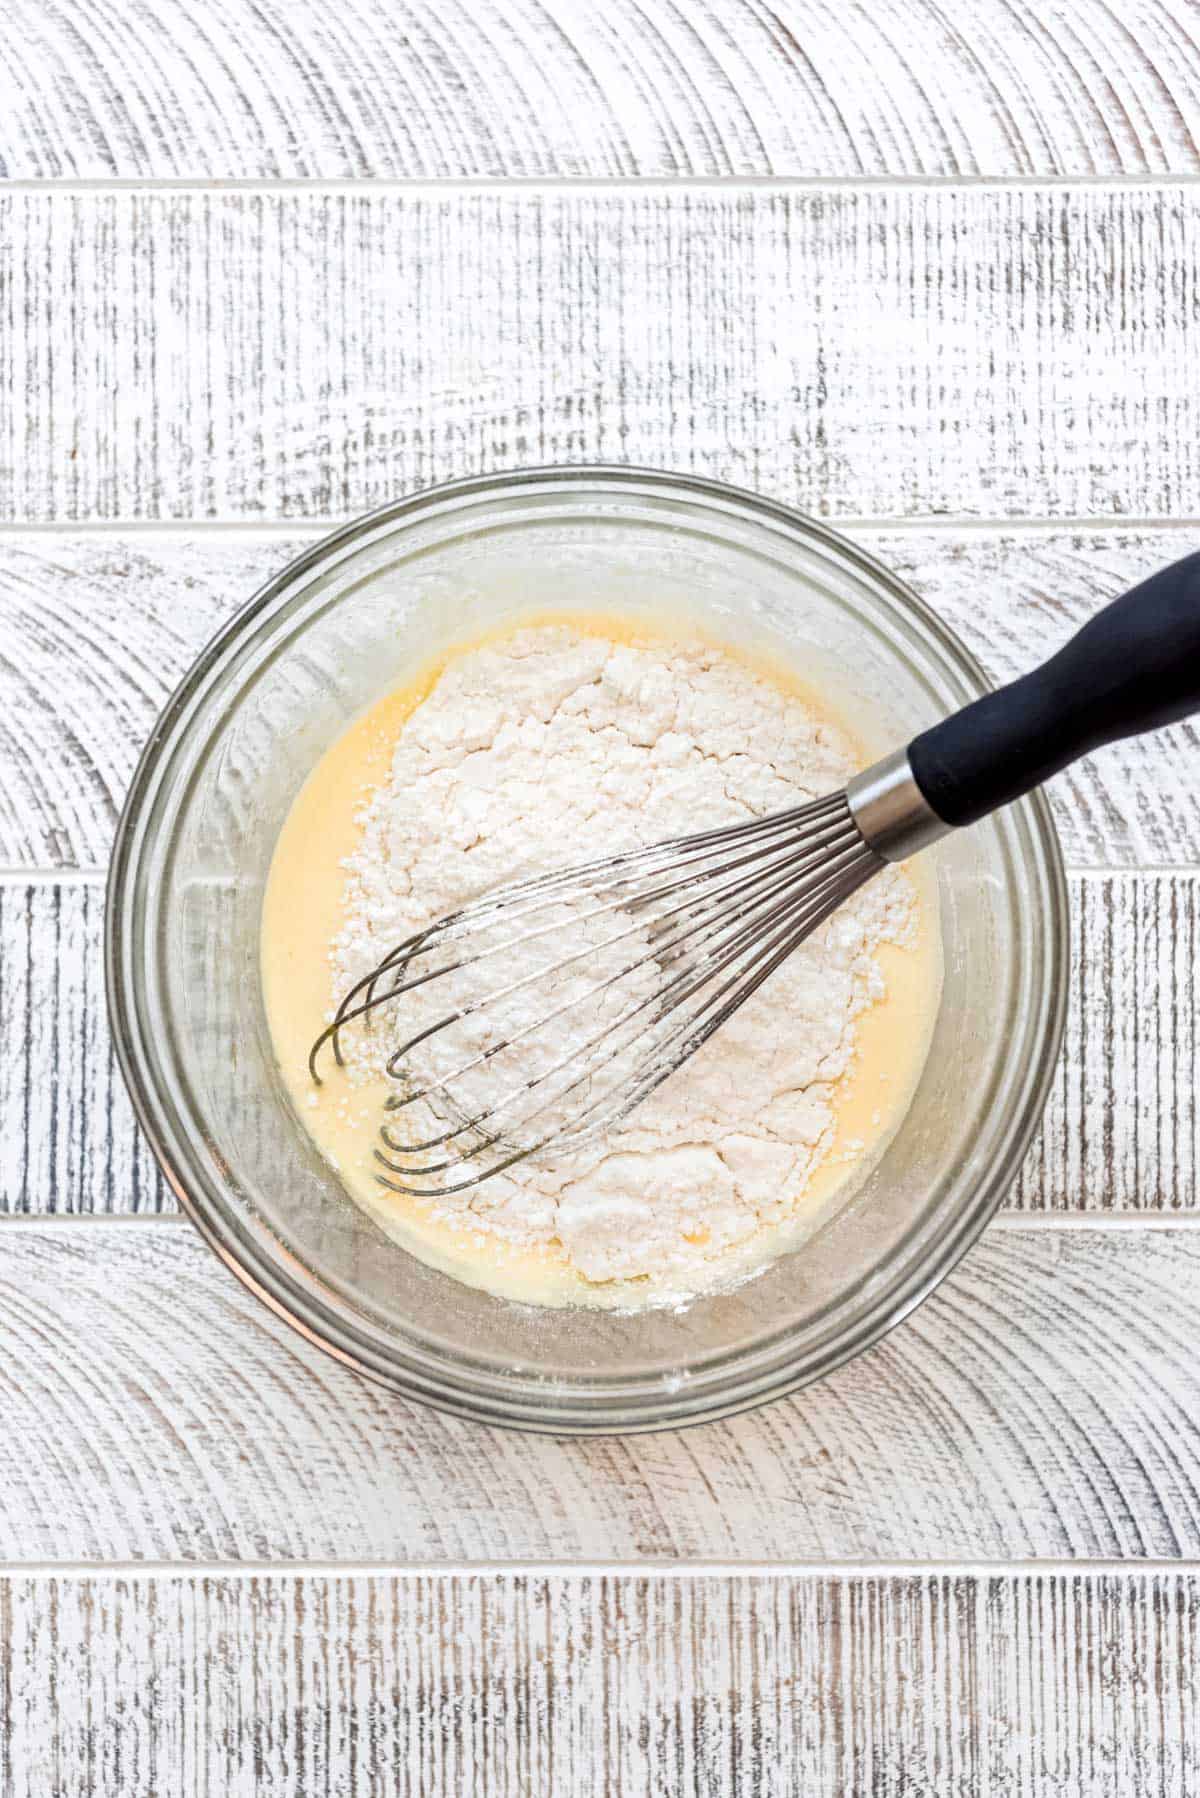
(1133, 668)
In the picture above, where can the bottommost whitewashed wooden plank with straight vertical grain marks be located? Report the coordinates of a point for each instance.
(604, 1687)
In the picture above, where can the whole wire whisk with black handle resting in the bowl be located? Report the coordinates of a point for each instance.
(546, 1011)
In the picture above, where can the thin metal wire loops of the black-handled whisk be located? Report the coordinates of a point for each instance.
(704, 918)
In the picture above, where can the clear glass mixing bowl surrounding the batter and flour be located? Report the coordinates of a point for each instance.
(321, 643)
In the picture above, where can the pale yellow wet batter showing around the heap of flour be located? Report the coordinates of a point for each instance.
(303, 912)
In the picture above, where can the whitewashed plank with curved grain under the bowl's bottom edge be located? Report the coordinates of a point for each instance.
(1043, 1403)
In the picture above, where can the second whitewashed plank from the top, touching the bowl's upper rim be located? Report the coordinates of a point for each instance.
(289, 355)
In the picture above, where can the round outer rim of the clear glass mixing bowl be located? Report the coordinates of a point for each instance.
(321, 1322)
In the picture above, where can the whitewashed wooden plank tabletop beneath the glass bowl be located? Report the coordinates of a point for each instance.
(929, 271)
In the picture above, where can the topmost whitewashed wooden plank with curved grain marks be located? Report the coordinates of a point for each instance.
(165, 89)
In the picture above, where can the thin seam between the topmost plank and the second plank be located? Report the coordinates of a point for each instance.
(584, 184)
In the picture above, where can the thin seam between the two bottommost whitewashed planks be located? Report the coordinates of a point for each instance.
(665, 1571)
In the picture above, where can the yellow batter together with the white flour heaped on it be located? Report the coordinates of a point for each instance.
(560, 742)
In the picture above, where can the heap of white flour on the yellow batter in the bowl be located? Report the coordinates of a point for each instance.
(550, 749)
